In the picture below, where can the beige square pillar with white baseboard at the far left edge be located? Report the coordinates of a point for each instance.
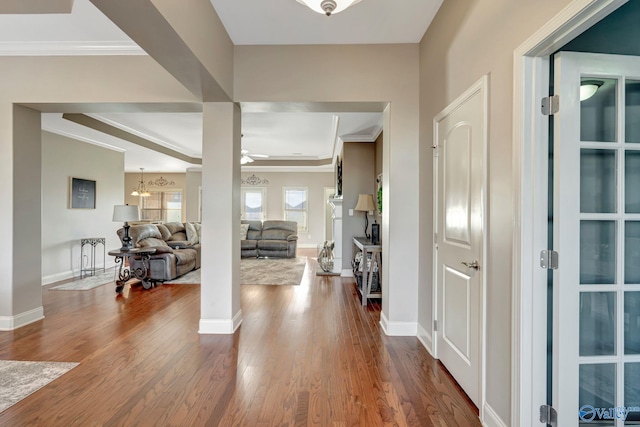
(21, 263)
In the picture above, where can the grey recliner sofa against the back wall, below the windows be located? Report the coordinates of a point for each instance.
(269, 238)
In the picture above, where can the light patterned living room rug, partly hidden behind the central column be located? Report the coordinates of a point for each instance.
(262, 271)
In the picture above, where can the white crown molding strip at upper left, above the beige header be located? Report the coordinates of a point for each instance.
(70, 48)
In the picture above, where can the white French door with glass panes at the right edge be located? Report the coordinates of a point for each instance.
(596, 322)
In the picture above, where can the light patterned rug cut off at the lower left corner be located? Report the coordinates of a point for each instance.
(19, 379)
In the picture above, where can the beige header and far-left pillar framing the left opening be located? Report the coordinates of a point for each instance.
(55, 84)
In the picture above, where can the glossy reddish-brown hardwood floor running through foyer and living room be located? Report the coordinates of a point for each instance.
(306, 355)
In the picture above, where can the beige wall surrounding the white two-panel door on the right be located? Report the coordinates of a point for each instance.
(466, 41)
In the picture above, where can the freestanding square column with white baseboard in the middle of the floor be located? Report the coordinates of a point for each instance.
(220, 284)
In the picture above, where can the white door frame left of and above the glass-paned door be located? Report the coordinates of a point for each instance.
(530, 157)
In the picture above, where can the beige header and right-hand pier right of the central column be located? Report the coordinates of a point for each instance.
(363, 73)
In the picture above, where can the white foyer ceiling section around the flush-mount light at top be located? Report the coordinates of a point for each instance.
(289, 22)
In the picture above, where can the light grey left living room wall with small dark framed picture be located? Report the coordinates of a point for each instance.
(62, 227)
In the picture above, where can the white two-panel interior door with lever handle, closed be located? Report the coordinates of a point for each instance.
(459, 173)
